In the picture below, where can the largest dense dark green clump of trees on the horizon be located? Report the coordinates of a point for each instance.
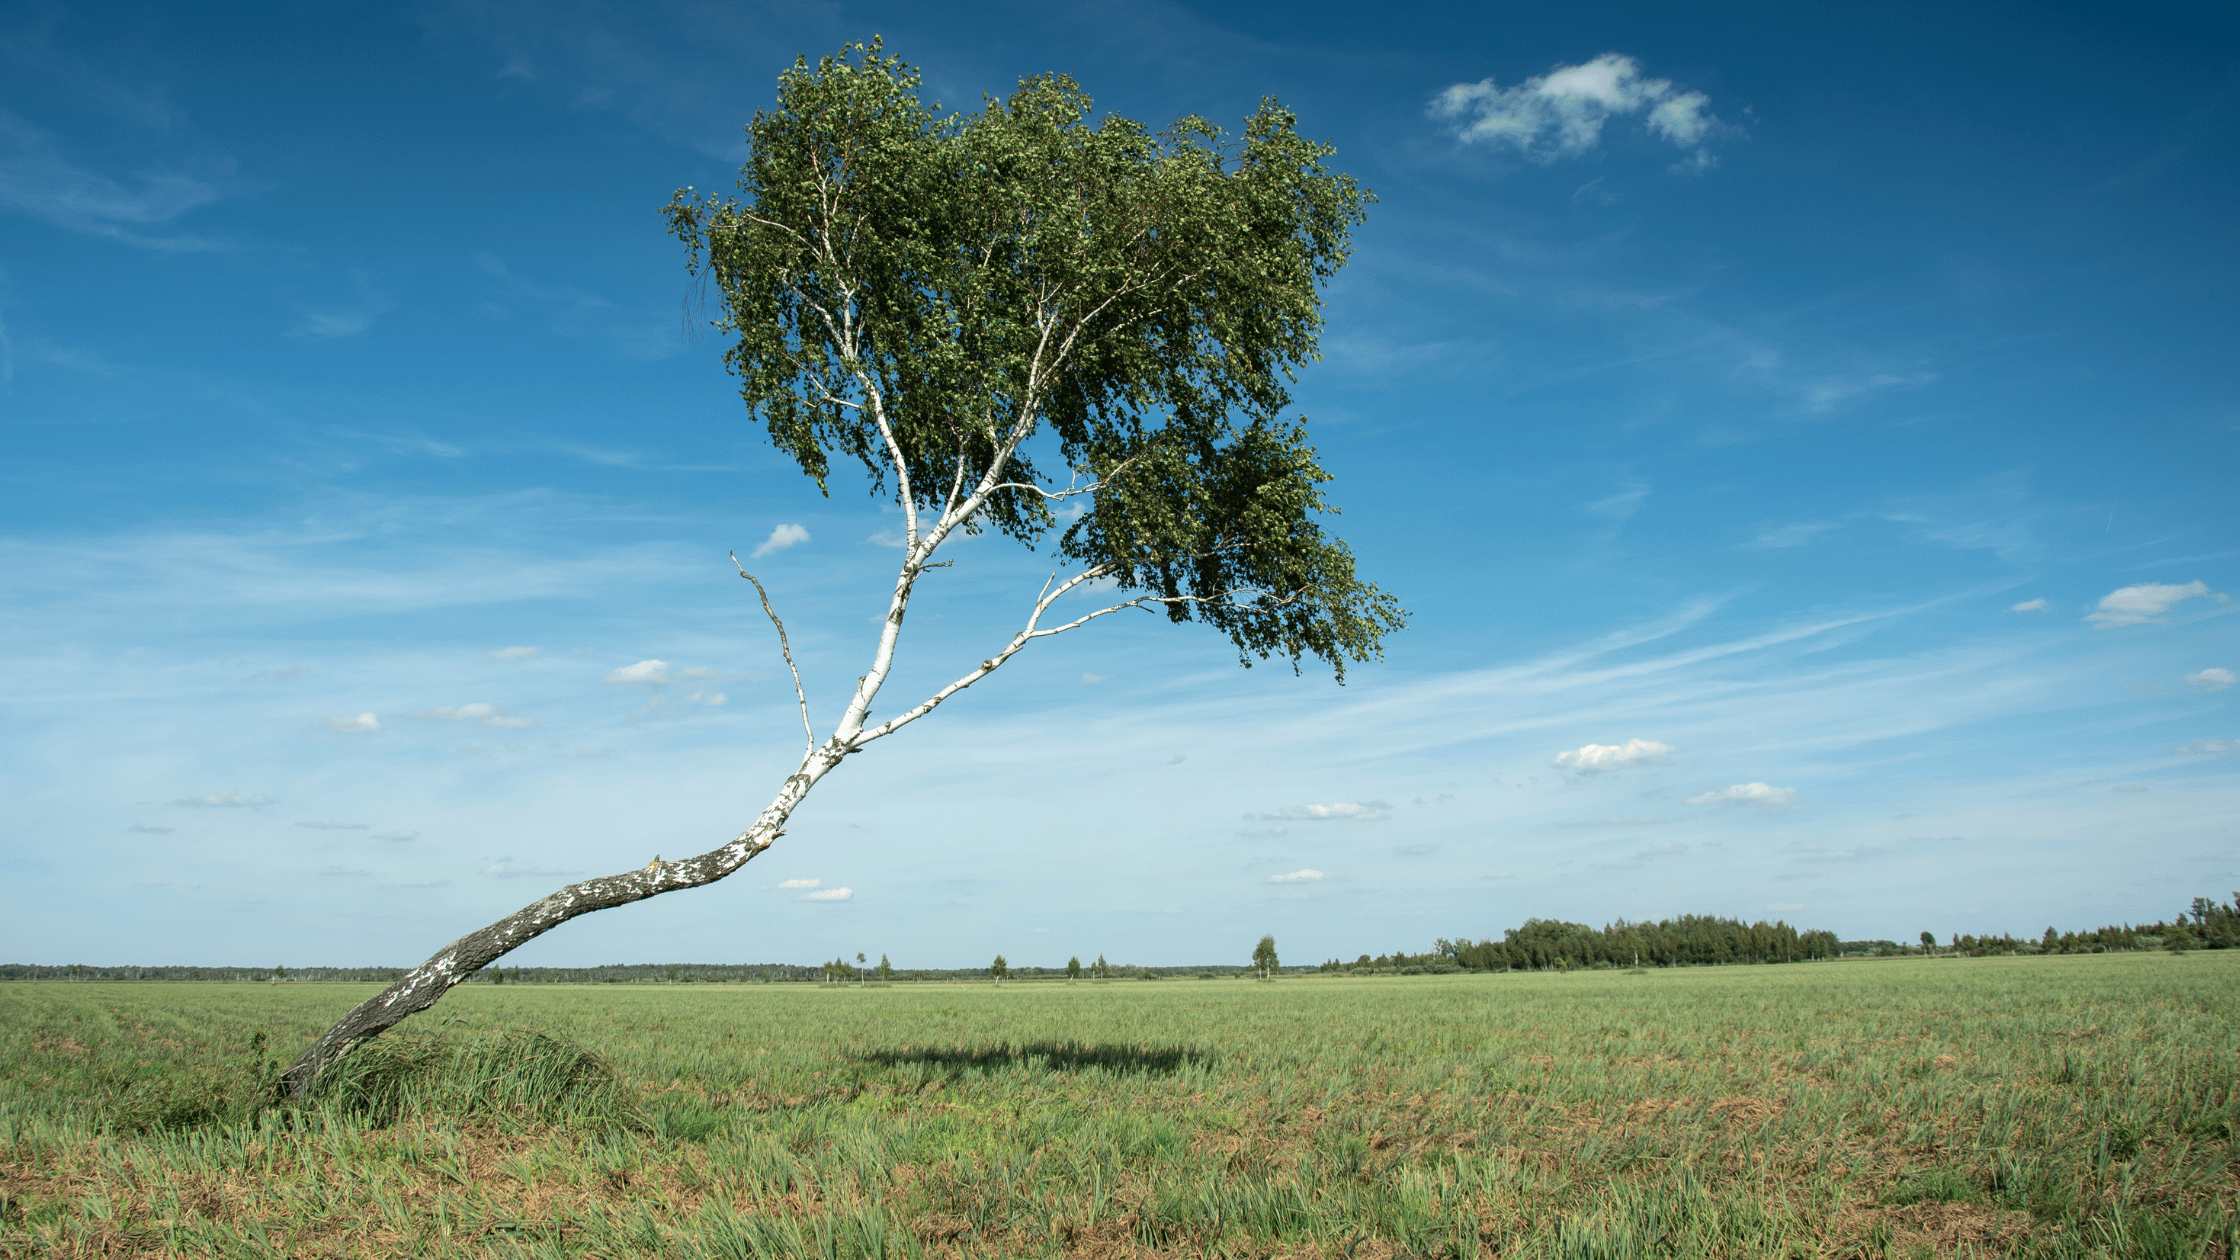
(1542, 945)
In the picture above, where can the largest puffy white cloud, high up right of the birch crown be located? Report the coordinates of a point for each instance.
(1562, 113)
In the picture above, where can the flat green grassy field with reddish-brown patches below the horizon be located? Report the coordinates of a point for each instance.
(2035, 1106)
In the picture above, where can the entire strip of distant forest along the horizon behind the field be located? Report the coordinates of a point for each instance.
(1540, 945)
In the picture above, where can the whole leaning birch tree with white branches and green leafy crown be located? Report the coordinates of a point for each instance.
(1023, 322)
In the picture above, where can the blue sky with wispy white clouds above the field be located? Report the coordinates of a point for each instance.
(1804, 441)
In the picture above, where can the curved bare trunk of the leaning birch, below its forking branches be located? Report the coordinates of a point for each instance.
(420, 988)
